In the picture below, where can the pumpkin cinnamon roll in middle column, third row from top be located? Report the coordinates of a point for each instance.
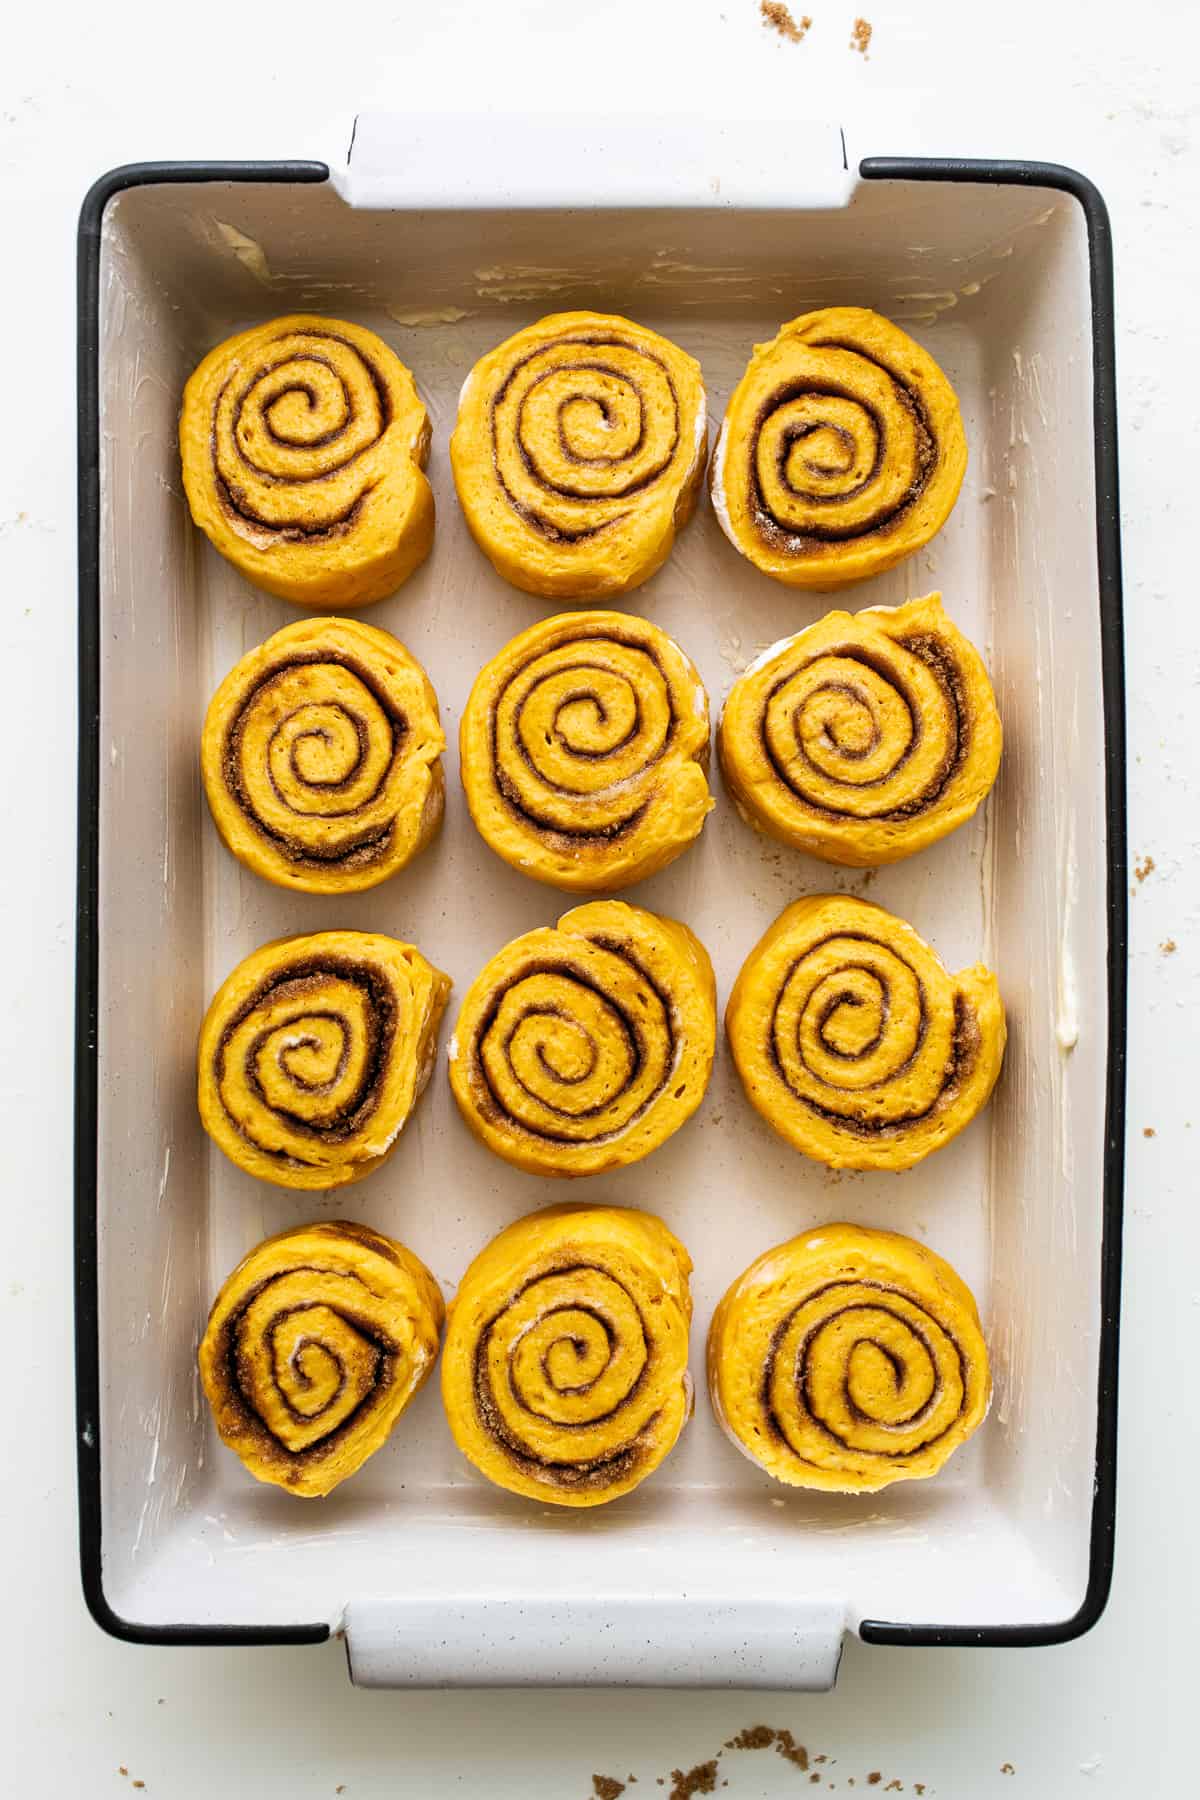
(587, 1045)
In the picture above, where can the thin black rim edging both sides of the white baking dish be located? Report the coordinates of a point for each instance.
(87, 903)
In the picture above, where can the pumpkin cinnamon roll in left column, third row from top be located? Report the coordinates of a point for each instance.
(316, 1052)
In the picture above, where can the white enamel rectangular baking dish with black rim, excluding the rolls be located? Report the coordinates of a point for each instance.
(710, 1574)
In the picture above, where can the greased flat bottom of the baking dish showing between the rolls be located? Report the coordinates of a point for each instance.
(722, 1183)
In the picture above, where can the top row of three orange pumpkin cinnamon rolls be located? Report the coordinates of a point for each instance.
(580, 451)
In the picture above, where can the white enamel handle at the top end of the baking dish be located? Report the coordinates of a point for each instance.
(404, 163)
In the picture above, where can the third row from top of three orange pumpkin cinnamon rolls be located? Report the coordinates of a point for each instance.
(582, 1047)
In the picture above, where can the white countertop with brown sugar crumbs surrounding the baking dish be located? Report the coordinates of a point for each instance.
(1111, 89)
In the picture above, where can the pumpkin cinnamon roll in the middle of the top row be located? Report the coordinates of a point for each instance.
(580, 453)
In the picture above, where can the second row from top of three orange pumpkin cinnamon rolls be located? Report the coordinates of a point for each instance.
(586, 748)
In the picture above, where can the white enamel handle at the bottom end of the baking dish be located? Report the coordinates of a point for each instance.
(577, 1641)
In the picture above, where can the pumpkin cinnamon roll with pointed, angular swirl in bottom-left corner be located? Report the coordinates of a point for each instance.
(314, 1349)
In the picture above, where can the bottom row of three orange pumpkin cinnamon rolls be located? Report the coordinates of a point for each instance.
(845, 1360)
